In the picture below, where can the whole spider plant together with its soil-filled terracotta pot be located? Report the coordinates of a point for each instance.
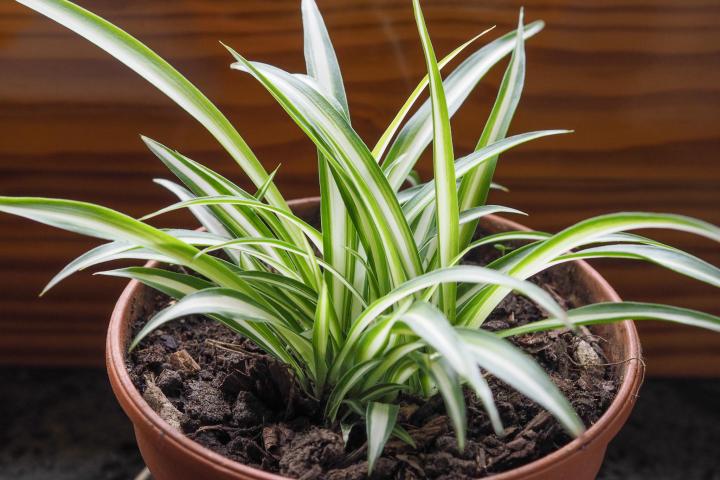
(374, 330)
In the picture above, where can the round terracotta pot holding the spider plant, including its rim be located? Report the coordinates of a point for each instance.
(171, 456)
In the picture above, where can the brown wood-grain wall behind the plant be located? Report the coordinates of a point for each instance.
(637, 80)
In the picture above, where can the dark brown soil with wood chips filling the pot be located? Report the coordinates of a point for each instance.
(228, 395)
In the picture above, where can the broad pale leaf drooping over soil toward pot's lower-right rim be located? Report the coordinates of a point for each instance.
(521, 372)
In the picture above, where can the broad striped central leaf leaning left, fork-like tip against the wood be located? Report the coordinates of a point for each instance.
(381, 221)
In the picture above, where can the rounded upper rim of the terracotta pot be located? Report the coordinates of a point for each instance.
(632, 374)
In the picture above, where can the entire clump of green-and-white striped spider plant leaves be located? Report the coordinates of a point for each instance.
(375, 302)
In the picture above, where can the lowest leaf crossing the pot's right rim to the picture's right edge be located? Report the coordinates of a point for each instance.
(600, 313)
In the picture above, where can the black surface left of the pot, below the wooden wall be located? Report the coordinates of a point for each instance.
(63, 424)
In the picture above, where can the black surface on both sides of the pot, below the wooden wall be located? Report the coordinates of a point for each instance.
(63, 424)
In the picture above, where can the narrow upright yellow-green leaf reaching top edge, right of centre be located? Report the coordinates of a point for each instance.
(446, 202)
